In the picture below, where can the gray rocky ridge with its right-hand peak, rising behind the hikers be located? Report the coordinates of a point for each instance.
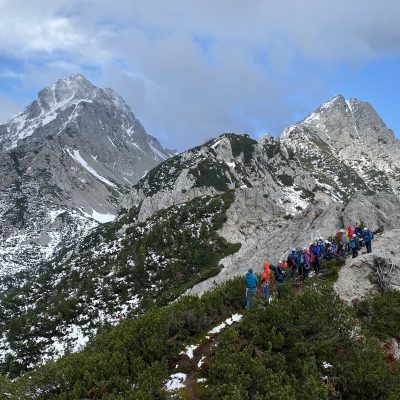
(338, 166)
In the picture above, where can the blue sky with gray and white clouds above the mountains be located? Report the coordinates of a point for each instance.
(191, 70)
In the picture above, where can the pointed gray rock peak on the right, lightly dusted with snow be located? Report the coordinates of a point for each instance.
(347, 148)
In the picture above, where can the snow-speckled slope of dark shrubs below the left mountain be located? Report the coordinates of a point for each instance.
(123, 267)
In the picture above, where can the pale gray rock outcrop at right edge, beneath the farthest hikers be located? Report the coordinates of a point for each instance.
(370, 273)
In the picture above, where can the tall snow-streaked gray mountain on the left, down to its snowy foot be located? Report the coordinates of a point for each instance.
(65, 162)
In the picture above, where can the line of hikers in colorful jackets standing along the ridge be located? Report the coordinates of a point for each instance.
(299, 262)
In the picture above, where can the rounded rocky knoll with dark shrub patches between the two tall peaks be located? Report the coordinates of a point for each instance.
(228, 162)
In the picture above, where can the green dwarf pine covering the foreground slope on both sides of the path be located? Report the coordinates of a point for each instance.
(303, 345)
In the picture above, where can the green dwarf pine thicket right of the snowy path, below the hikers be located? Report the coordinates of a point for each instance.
(279, 350)
